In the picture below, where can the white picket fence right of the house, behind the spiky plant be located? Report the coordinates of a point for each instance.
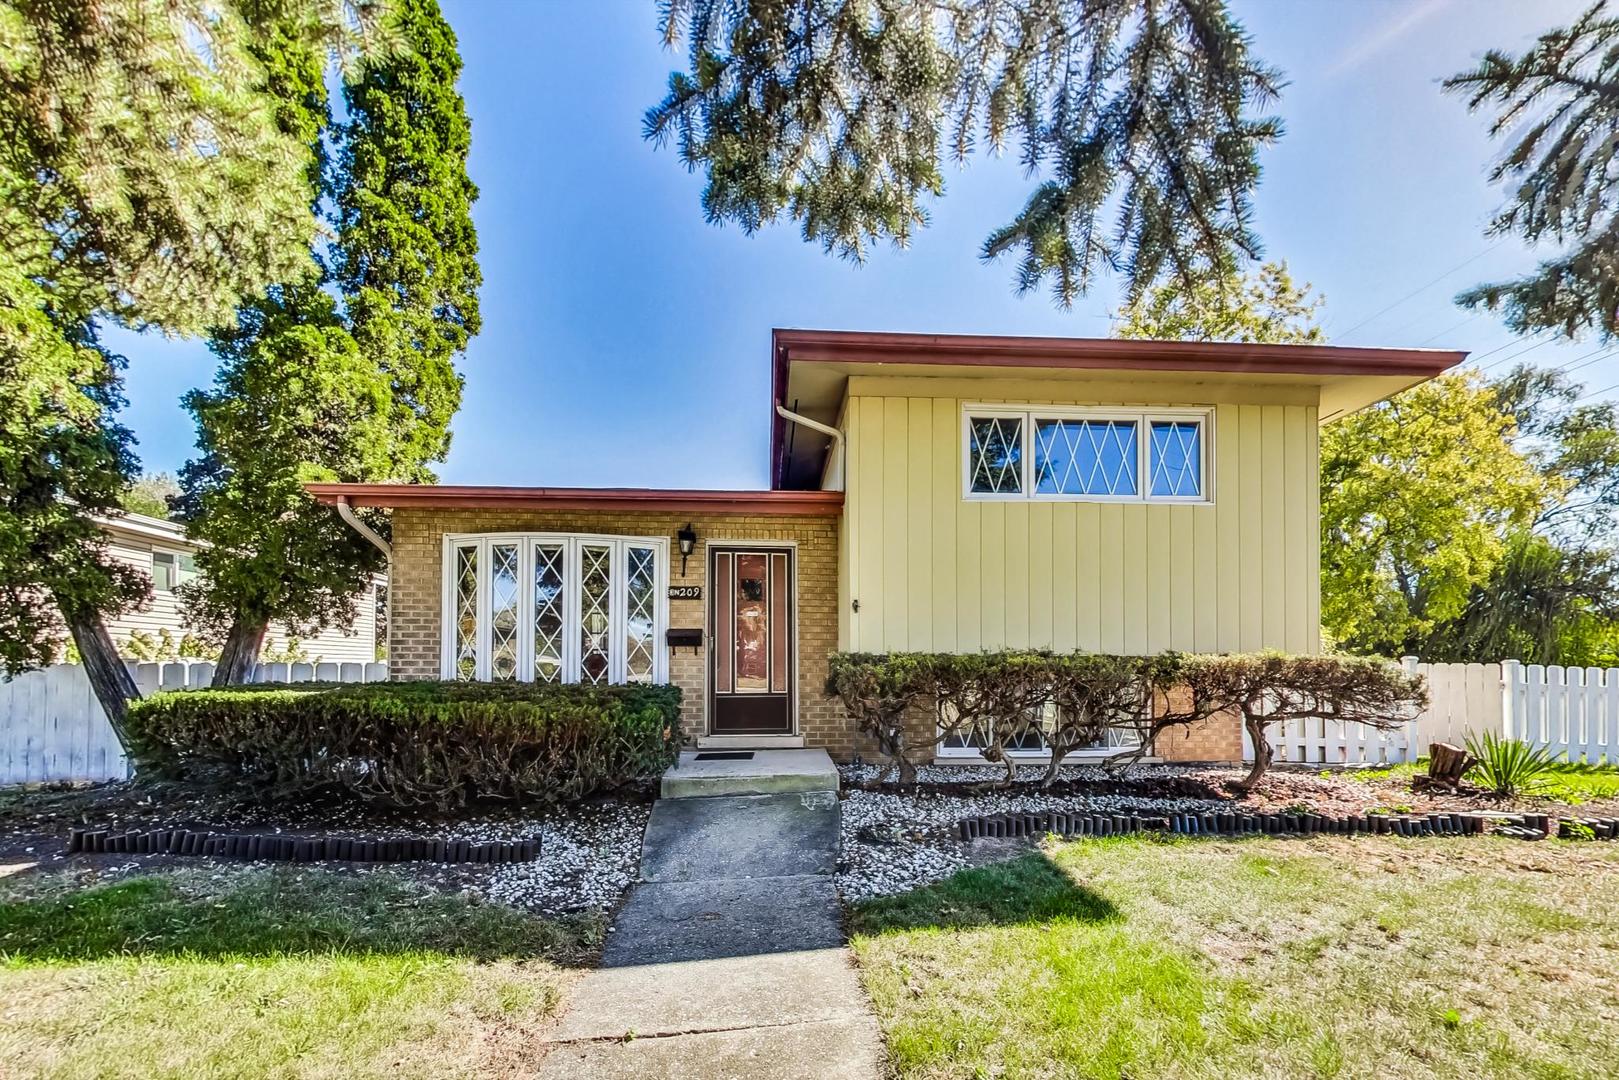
(1571, 712)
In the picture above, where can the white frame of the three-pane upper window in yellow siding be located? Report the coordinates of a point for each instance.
(1030, 417)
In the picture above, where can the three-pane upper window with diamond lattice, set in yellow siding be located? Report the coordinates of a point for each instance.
(1079, 454)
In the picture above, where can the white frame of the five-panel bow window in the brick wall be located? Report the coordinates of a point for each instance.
(571, 543)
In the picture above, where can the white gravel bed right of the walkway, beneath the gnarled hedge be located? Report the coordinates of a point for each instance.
(898, 843)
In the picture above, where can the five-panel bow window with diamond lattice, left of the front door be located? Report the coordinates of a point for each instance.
(548, 608)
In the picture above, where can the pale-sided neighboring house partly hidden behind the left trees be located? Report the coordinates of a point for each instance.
(163, 551)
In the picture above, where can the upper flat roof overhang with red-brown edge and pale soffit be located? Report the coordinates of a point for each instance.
(812, 370)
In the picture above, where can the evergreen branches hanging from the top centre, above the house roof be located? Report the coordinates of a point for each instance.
(1139, 116)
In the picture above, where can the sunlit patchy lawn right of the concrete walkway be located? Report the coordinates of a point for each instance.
(1324, 958)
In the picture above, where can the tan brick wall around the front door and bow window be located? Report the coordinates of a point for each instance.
(415, 640)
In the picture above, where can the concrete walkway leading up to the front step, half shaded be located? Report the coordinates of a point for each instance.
(728, 961)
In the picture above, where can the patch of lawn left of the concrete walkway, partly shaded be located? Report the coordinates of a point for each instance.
(273, 974)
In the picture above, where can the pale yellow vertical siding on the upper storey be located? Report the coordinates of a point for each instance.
(933, 571)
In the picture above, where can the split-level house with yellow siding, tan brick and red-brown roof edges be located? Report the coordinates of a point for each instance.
(927, 493)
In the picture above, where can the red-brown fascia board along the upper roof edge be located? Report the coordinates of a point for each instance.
(1100, 354)
